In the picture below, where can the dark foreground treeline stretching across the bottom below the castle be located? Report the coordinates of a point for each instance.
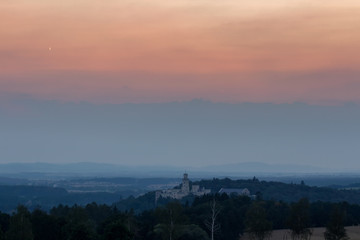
(221, 216)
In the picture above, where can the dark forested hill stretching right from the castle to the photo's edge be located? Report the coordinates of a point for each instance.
(283, 191)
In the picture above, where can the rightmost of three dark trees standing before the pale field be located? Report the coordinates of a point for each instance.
(335, 229)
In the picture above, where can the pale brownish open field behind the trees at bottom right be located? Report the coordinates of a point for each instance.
(318, 234)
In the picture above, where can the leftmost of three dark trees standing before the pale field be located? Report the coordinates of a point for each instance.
(257, 225)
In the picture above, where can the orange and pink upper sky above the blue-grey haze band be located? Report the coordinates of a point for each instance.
(146, 51)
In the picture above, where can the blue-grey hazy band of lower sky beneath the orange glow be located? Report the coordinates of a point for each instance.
(190, 134)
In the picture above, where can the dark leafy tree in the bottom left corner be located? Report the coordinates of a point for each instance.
(20, 225)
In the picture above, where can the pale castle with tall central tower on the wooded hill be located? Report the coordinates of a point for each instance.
(183, 191)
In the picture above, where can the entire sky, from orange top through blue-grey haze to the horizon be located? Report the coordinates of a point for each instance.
(115, 81)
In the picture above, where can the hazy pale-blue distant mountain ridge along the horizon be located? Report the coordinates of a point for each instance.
(101, 169)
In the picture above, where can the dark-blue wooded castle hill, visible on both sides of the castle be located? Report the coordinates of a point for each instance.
(276, 191)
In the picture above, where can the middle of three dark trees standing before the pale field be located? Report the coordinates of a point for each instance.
(299, 220)
